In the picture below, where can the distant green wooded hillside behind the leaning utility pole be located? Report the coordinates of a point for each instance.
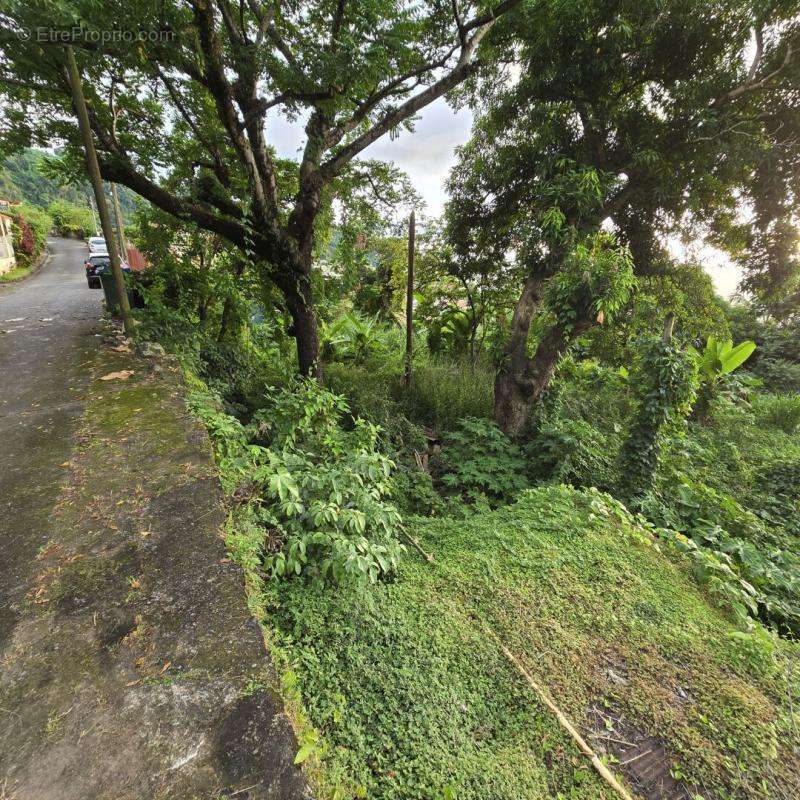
(22, 179)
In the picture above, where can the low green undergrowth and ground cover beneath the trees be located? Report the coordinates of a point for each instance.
(395, 686)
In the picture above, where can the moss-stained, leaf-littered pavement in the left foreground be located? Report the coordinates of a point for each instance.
(129, 664)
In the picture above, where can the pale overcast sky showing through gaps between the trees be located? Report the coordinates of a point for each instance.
(428, 153)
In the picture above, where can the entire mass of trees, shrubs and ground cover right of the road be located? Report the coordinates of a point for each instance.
(589, 456)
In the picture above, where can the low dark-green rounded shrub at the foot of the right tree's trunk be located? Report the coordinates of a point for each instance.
(479, 461)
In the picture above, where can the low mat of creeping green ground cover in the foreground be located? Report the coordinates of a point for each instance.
(409, 697)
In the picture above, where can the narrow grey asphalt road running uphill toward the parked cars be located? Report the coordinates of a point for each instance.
(47, 331)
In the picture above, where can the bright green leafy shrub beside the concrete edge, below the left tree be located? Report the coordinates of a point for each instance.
(318, 493)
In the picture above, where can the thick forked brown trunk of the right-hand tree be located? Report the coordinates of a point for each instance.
(522, 380)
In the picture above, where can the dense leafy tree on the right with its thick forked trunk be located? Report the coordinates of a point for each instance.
(643, 118)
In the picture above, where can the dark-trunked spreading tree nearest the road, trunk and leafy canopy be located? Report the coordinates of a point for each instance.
(181, 105)
